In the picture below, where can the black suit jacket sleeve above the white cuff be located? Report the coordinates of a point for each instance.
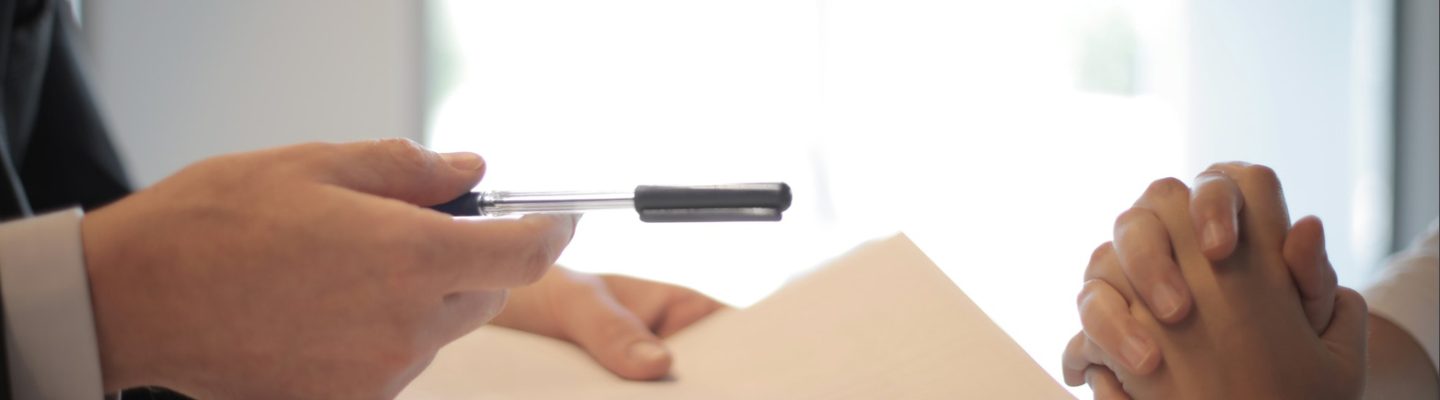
(54, 147)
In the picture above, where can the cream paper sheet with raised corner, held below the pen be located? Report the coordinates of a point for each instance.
(878, 323)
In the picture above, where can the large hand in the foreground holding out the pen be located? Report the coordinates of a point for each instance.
(302, 273)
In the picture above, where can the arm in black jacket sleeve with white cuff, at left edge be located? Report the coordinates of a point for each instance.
(55, 145)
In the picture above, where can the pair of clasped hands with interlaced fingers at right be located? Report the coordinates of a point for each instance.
(1212, 294)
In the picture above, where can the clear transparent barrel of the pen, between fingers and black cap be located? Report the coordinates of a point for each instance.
(500, 204)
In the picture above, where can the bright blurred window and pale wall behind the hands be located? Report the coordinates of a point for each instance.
(1002, 136)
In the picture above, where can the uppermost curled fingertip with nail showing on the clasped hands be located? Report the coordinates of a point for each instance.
(1215, 209)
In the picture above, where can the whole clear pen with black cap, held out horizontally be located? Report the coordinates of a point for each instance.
(747, 202)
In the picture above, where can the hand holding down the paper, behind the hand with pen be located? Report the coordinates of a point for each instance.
(617, 320)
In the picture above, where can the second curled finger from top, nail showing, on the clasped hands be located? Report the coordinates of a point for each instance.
(1144, 250)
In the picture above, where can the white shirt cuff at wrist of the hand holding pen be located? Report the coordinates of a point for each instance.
(50, 323)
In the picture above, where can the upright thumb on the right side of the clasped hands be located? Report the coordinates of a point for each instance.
(1311, 270)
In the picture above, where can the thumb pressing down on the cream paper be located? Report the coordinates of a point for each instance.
(614, 337)
